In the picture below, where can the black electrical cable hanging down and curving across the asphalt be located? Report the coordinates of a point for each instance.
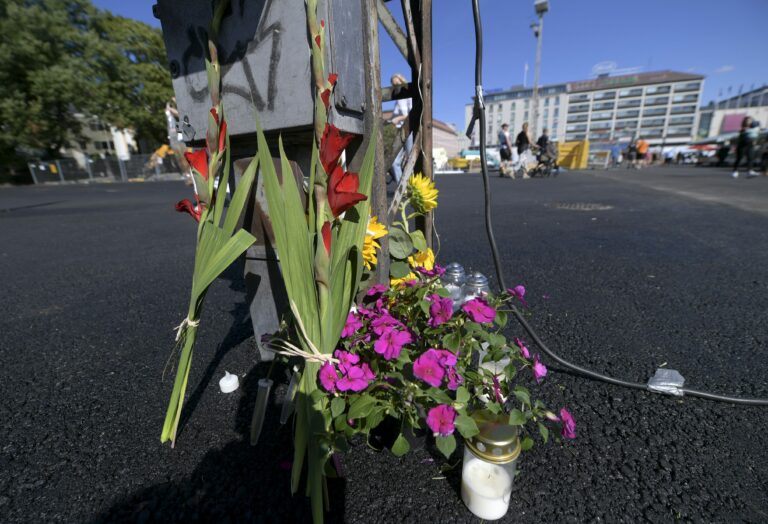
(478, 115)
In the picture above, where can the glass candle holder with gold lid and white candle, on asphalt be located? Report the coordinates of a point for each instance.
(490, 462)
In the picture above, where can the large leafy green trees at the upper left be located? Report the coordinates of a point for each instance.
(59, 57)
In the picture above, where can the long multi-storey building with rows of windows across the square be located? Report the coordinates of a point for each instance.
(659, 106)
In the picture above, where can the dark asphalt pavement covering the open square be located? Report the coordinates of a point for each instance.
(626, 272)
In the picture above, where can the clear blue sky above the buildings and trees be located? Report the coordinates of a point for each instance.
(725, 41)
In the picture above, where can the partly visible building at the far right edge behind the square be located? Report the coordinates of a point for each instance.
(726, 115)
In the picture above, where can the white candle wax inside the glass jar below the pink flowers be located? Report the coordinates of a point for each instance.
(485, 488)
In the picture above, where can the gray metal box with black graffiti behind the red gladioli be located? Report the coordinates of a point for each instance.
(265, 57)
